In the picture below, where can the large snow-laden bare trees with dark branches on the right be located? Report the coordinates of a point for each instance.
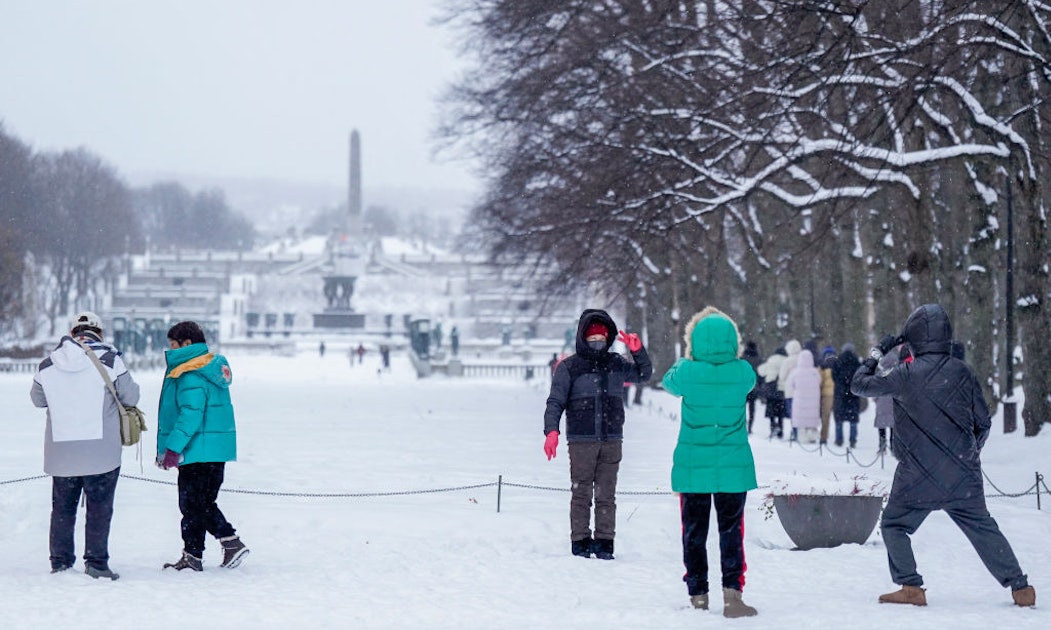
(817, 169)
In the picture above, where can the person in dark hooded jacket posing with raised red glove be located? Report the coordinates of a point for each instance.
(589, 387)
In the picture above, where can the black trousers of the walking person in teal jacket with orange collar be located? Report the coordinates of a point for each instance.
(199, 486)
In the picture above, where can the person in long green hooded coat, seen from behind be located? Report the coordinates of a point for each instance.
(713, 462)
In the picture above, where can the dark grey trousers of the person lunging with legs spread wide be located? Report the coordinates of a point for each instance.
(901, 522)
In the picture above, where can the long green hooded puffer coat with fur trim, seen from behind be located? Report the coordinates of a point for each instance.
(713, 454)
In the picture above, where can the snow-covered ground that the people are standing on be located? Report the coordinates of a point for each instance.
(449, 560)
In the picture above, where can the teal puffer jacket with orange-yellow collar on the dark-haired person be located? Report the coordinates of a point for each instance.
(196, 417)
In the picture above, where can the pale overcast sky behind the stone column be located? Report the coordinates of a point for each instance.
(255, 89)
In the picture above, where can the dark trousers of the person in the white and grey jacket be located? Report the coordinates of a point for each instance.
(99, 491)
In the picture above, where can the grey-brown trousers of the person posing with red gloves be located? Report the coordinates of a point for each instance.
(593, 474)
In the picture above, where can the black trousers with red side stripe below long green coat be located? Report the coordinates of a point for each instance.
(696, 511)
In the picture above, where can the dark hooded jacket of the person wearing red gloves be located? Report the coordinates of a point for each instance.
(589, 387)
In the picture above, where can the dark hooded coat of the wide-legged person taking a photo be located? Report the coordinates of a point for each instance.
(941, 418)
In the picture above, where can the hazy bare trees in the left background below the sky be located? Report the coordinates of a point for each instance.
(67, 219)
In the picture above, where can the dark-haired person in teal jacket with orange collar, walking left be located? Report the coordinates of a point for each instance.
(196, 434)
